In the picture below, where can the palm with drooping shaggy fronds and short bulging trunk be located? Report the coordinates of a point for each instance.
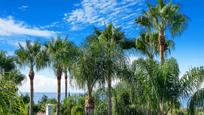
(87, 69)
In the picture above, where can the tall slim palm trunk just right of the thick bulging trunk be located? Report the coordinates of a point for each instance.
(109, 96)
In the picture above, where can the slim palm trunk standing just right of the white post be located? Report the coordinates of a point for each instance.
(59, 73)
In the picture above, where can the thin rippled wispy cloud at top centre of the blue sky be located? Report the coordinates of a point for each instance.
(102, 12)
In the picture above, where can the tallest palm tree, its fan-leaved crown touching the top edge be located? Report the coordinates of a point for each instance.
(161, 18)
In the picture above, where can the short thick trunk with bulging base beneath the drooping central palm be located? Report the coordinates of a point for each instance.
(89, 102)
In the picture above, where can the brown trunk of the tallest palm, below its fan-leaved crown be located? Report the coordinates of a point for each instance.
(162, 45)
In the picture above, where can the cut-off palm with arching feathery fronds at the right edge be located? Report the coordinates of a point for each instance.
(190, 86)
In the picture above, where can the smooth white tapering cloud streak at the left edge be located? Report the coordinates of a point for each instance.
(10, 27)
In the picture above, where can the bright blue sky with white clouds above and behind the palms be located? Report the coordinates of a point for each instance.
(41, 20)
